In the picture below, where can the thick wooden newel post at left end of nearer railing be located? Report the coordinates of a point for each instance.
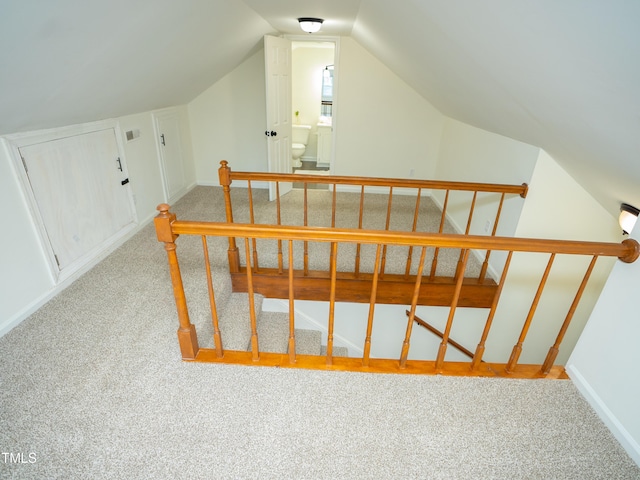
(187, 332)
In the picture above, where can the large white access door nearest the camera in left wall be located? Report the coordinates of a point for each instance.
(81, 189)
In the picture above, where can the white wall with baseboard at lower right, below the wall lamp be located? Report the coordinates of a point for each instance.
(604, 363)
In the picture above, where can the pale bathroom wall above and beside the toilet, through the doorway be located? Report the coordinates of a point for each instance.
(308, 61)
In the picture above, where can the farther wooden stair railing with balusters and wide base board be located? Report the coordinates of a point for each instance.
(355, 285)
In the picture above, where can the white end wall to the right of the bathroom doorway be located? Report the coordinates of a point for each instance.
(384, 128)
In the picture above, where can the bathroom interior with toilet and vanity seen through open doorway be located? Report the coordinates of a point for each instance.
(312, 102)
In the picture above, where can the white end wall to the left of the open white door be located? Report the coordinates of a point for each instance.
(228, 122)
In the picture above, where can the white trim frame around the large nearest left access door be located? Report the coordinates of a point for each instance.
(16, 141)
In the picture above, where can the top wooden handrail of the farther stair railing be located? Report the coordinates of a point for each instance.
(375, 181)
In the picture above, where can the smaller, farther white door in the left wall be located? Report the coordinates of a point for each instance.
(169, 146)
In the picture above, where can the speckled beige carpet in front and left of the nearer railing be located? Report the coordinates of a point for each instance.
(92, 386)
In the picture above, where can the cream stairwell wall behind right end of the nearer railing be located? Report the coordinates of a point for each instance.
(556, 208)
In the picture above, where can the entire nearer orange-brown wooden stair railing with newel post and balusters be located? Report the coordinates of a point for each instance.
(168, 229)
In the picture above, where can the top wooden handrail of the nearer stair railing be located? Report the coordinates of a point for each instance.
(627, 251)
